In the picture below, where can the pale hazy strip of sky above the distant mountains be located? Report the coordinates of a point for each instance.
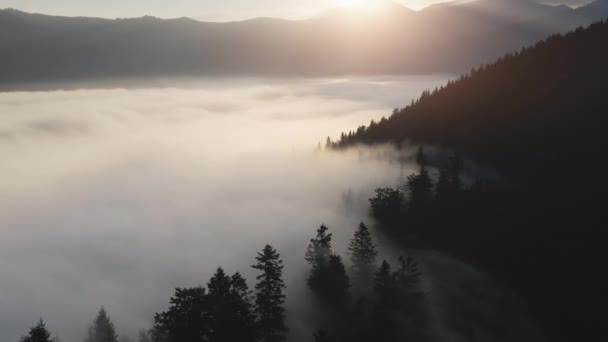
(199, 9)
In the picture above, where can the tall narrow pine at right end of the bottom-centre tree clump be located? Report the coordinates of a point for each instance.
(269, 296)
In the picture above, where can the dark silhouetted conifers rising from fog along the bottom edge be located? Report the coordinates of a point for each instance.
(369, 301)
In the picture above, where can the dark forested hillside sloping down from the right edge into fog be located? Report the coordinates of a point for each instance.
(538, 118)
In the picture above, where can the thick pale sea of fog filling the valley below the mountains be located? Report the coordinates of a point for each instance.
(115, 197)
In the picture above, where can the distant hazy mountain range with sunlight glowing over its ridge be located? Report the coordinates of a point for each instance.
(445, 38)
